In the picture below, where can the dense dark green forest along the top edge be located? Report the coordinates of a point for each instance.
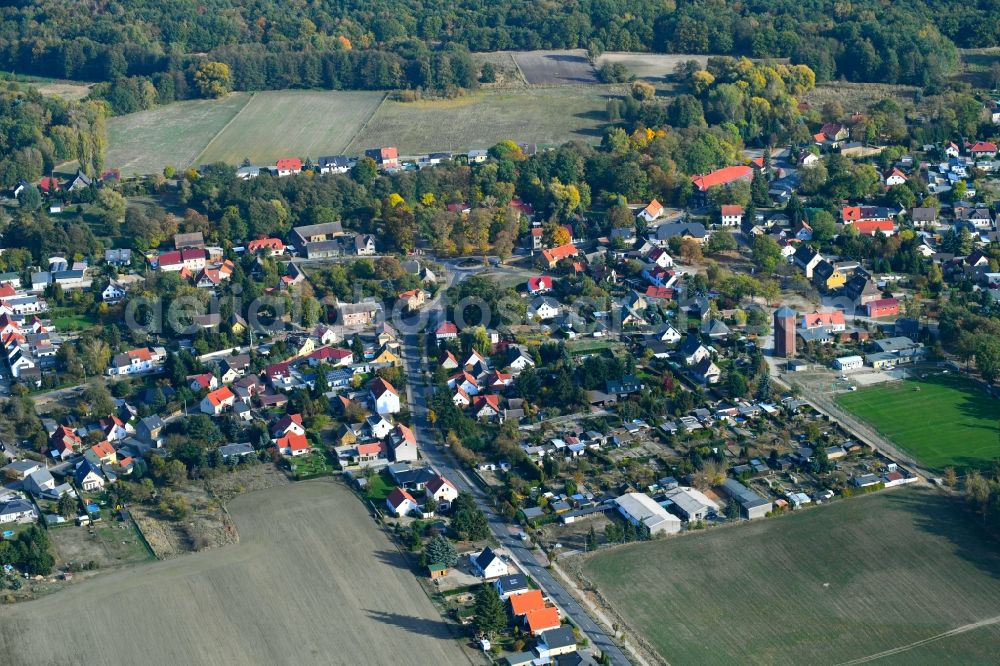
(426, 43)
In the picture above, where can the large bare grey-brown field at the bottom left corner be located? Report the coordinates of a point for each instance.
(311, 582)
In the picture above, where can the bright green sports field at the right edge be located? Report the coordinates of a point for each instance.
(941, 420)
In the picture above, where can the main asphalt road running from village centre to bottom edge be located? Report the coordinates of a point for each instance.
(417, 393)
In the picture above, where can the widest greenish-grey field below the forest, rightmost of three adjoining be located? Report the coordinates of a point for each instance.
(479, 120)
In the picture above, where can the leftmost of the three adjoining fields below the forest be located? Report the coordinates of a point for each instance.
(147, 141)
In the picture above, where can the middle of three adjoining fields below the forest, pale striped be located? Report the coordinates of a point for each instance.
(292, 123)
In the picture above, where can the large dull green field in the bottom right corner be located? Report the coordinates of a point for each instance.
(822, 586)
